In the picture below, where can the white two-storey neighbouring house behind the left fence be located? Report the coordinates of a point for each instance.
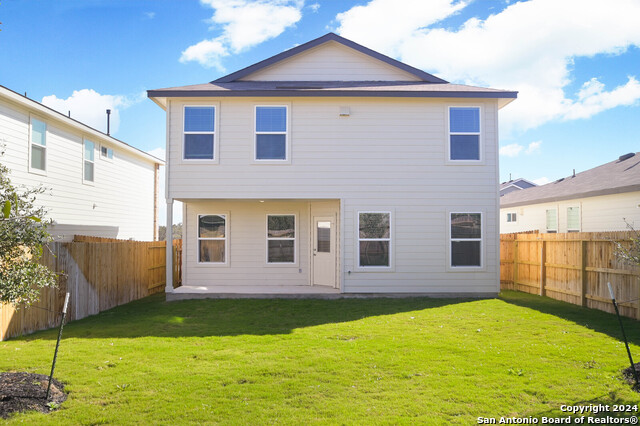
(97, 185)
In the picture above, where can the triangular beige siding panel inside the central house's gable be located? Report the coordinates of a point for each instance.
(331, 62)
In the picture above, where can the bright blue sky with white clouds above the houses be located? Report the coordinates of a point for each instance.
(575, 63)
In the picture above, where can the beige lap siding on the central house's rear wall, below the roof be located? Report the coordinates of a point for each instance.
(388, 155)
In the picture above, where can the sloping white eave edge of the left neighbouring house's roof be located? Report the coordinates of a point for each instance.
(45, 111)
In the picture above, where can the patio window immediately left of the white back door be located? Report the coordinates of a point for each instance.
(281, 238)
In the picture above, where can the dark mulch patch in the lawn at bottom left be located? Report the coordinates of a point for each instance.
(27, 391)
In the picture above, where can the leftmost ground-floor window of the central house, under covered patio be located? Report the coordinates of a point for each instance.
(212, 238)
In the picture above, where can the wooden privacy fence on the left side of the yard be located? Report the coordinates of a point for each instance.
(99, 276)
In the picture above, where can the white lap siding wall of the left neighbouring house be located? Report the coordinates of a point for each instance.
(119, 203)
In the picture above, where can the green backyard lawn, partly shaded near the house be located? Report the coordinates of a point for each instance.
(351, 361)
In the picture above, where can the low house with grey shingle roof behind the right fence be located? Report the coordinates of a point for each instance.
(605, 198)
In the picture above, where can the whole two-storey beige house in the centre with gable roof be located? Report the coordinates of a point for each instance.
(330, 167)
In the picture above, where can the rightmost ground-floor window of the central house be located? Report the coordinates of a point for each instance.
(466, 239)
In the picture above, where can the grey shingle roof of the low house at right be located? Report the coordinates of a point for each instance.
(615, 177)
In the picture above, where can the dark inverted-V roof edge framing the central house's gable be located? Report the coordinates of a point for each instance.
(422, 75)
